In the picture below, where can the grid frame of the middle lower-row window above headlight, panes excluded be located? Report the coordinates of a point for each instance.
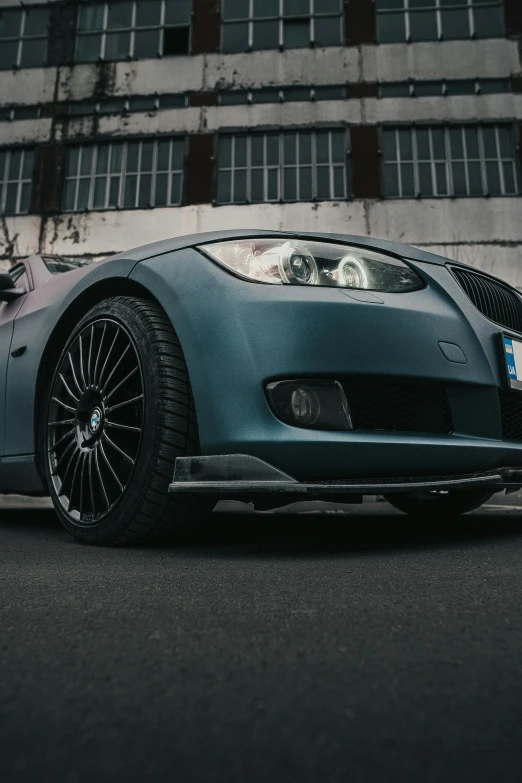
(281, 165)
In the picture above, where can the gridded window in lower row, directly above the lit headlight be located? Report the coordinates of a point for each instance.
(289, 166)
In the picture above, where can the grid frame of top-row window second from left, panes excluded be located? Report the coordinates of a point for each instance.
(104, 31)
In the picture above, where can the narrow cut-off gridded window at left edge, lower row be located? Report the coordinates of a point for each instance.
(16, 178)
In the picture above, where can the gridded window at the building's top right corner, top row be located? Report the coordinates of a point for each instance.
(433, 20)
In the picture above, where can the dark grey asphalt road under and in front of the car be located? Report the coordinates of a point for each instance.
(313, 648)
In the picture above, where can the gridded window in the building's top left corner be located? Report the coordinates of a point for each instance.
(23, 37)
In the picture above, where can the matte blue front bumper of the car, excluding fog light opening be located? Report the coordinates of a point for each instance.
(238, 336)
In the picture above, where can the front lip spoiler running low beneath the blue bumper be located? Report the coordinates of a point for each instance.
(243, 474)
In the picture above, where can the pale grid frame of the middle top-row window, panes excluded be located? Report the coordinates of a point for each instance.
(281, 17)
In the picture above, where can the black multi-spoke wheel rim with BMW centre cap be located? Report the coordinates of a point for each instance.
(95, 421)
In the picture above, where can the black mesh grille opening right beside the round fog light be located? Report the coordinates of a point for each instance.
(398, 406)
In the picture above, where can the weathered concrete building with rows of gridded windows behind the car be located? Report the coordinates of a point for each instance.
(130, 121)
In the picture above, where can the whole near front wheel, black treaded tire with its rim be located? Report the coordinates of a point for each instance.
(119, 411)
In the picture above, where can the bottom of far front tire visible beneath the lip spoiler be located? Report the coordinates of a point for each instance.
(453, 502)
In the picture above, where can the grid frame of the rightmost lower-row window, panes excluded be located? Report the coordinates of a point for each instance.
(450, 160)
